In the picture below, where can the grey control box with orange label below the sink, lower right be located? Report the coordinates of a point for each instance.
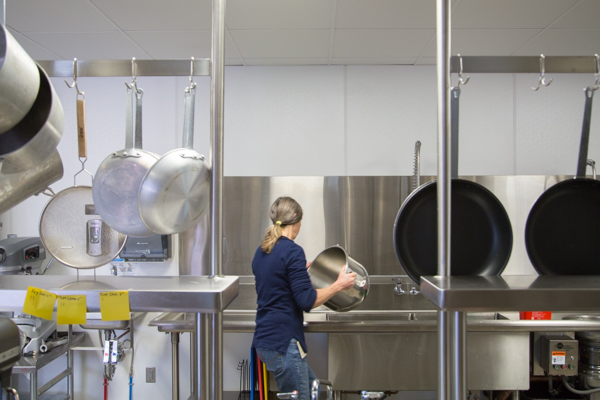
(559, 355)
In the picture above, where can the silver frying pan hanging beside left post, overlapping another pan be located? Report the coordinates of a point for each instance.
(175, 192)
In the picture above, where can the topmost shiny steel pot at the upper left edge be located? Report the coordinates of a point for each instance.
(19, 81)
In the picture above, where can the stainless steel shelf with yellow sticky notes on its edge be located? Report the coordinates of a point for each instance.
(197, 294)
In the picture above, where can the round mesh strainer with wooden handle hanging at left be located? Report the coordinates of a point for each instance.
(69, 226)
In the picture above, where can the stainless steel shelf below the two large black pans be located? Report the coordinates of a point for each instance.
(513, 293)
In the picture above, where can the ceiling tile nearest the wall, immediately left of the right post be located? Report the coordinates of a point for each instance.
(362, 43)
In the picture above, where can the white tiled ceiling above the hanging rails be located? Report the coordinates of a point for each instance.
(301, 32)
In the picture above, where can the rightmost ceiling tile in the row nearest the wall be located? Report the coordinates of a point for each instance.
(563, 42)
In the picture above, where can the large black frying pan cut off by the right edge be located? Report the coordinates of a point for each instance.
(563, 227)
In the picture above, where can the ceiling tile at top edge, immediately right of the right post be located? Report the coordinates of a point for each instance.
(508, 13)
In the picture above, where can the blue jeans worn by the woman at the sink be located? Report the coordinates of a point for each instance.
(290, 370)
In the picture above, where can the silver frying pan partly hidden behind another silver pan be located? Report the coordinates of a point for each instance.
(119, 177)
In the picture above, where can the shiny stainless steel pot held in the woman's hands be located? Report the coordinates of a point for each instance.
(325, 269)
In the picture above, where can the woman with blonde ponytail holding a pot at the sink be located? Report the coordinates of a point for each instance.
(284, 292)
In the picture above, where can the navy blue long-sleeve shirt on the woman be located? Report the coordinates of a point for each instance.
(284, 292)
